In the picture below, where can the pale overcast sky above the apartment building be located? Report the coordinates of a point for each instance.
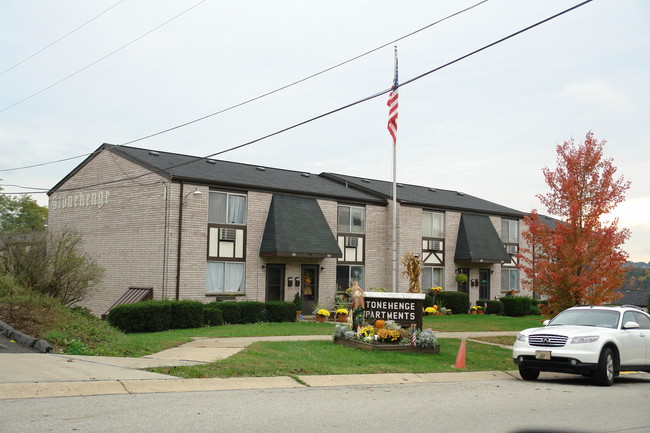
(486, 125)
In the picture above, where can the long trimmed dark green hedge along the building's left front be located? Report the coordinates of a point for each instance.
(155, 316)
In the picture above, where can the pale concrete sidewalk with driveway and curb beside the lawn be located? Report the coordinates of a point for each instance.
(28, 375)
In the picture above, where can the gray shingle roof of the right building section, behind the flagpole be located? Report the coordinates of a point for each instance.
(426, 196)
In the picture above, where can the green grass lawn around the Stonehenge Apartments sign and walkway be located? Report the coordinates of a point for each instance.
(323, 357)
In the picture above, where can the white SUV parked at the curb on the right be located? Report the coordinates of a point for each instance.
(593, 341)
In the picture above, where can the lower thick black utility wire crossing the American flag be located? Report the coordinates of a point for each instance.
(368, 98)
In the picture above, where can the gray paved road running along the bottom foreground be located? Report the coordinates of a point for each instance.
(570, 404)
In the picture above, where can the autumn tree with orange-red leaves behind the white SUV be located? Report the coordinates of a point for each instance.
(577, 259)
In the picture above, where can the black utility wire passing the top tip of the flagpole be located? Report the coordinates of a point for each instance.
(263, 95)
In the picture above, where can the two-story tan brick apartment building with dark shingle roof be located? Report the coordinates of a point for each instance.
(174, 226)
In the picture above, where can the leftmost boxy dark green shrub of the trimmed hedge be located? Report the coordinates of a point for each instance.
(147, 316)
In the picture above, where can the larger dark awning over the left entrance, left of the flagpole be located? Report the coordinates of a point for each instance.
(296, 227)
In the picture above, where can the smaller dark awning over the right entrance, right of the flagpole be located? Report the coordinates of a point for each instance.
(478, 241)
